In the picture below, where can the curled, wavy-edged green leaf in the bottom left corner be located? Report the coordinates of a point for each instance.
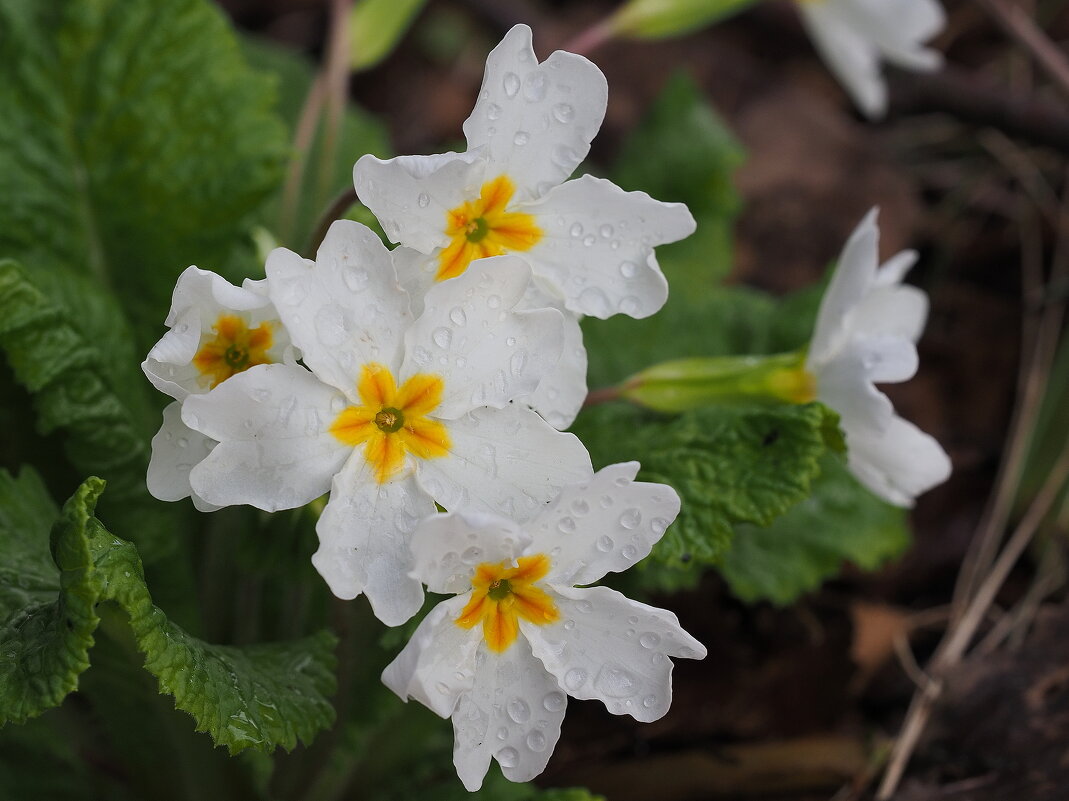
(258, 697)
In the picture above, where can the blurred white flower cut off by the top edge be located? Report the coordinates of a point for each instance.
(856, 36)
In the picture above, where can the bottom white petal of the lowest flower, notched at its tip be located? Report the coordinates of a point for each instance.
(513, 713)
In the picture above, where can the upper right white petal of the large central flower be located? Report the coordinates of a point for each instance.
(469, 332)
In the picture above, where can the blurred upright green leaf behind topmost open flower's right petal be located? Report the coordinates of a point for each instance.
(683, 151)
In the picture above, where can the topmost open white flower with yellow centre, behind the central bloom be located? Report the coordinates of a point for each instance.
(590, 244)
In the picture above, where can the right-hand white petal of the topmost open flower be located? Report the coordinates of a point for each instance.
(598, 247)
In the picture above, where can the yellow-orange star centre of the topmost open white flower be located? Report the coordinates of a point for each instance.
(483, 227)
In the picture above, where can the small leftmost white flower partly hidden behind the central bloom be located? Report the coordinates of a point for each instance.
(216, 331)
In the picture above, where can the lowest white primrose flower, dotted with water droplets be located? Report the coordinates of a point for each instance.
(503, 656)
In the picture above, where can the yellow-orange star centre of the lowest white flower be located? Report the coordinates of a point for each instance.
(502, 595)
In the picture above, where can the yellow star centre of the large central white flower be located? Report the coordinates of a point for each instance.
(393, 423)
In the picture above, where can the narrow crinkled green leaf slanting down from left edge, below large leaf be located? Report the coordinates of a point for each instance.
(67, 378)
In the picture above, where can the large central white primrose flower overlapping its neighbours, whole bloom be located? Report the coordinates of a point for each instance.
(393, 414)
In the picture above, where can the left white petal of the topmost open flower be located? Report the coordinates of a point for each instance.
(412, 196)
